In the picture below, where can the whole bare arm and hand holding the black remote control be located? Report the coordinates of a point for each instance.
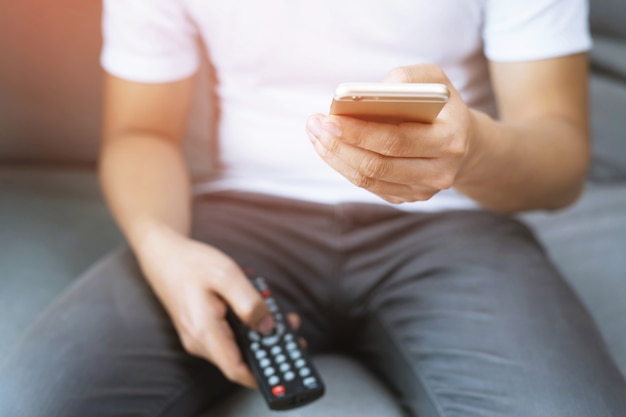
(146, 184)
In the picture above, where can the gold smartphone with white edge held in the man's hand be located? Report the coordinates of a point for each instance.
(390, 102)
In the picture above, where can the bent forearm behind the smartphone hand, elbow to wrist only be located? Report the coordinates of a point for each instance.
(532, 164)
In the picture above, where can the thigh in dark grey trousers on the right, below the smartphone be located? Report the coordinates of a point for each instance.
(473, 320)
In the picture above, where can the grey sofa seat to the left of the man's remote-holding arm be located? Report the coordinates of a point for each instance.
(53, 226)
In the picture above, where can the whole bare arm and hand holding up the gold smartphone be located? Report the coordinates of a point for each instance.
(534, 157)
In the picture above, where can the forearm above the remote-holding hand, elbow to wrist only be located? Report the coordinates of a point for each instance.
(146, 186)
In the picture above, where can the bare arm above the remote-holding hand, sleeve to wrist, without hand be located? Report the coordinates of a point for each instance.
(142, 169)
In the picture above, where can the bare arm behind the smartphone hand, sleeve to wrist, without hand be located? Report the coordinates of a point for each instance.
(536, 155)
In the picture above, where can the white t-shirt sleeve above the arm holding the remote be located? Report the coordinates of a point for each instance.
(149, 41)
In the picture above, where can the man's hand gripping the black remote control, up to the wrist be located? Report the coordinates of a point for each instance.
(196, 283)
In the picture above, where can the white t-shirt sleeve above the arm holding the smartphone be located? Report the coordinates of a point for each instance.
(517, 30)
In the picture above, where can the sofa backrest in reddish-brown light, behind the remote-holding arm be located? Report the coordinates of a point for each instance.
(50, 85)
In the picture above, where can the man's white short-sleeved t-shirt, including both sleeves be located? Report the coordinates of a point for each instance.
(278, 61)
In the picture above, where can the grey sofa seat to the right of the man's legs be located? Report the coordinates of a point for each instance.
(587, 243)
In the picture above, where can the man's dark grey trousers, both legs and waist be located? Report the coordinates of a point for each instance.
(459, 313)
